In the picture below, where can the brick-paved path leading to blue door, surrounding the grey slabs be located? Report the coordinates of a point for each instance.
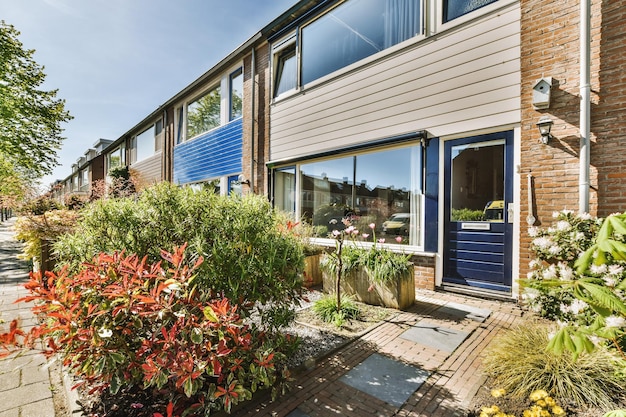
(453, 381)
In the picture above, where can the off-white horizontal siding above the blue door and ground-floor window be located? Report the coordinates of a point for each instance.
(463, 80)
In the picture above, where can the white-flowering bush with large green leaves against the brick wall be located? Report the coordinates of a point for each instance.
(578, 278)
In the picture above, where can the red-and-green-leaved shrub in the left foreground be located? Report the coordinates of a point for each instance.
(123, 322)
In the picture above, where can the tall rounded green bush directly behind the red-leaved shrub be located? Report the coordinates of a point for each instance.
(248, 256)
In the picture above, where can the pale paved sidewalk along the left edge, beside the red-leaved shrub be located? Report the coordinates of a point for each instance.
(25, 384)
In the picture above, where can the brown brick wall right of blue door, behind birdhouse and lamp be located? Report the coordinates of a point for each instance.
(550, 47)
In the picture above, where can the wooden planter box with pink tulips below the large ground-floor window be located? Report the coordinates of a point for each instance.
(399, 294)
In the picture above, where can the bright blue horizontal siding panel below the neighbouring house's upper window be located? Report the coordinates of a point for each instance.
(214, 154)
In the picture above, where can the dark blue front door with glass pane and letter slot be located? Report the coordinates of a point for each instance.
(477, 197)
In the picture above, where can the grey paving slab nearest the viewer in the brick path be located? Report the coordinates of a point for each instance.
(386, 379)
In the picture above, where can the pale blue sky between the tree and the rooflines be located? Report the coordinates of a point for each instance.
(116, 61)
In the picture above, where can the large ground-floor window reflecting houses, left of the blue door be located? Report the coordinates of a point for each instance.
(382, 187)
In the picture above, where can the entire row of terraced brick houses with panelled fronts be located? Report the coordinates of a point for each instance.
(452, 125)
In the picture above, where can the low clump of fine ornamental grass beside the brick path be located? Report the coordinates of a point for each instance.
(521, 364)
